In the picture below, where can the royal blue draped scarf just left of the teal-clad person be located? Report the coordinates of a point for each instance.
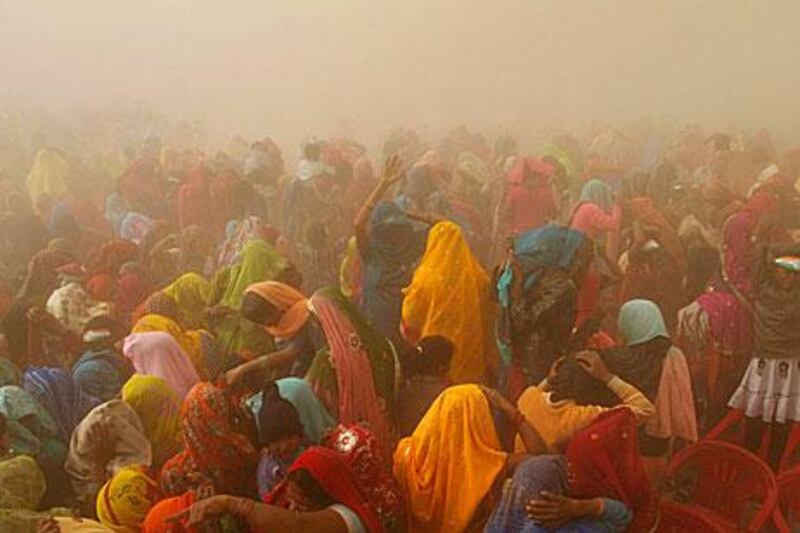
(55, 390)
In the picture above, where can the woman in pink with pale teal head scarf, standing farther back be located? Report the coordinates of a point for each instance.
(598, 217)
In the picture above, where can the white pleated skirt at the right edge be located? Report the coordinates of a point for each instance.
(770, 390)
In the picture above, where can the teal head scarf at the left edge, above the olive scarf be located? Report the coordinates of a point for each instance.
(34, 438)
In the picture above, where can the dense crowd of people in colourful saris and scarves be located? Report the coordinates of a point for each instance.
(469, 338)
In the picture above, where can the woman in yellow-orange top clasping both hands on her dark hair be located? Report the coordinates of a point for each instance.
(572, 397)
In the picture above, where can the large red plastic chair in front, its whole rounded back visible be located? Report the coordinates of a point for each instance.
(729, 481)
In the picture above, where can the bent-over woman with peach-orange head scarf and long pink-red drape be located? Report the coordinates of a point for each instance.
(351, 370)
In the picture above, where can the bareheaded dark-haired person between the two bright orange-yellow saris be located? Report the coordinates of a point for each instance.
(425, 366)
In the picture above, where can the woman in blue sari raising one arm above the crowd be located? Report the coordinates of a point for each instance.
(389, 246)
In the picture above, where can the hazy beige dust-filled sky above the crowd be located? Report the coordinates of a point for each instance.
(296, 67)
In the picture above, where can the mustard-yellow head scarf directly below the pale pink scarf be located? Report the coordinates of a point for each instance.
(158, 408)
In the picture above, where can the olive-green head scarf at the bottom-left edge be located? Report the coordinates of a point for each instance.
(22, 483)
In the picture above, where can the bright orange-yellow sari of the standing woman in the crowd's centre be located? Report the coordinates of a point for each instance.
(449, 296)
